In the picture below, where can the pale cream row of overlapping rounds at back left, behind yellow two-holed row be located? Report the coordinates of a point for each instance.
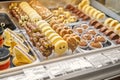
(33, 15)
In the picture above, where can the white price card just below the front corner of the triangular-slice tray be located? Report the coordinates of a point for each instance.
(36, 73)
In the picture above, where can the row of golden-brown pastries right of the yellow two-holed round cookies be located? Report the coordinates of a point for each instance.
(67, 34)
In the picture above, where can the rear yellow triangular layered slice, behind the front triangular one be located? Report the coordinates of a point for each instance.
(12, 39)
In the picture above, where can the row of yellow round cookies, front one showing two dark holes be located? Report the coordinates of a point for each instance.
(60, 45)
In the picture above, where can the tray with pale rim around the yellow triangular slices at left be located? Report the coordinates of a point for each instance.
(6, 18)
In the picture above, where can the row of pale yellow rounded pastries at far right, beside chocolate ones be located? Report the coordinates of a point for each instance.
(111, 24)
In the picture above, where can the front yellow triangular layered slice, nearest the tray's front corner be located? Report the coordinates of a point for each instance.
(21, 57)
